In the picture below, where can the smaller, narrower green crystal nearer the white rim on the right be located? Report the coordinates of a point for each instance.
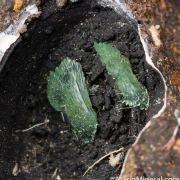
(127, 86)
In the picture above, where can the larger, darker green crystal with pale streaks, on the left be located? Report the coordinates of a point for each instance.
(67, 92)
